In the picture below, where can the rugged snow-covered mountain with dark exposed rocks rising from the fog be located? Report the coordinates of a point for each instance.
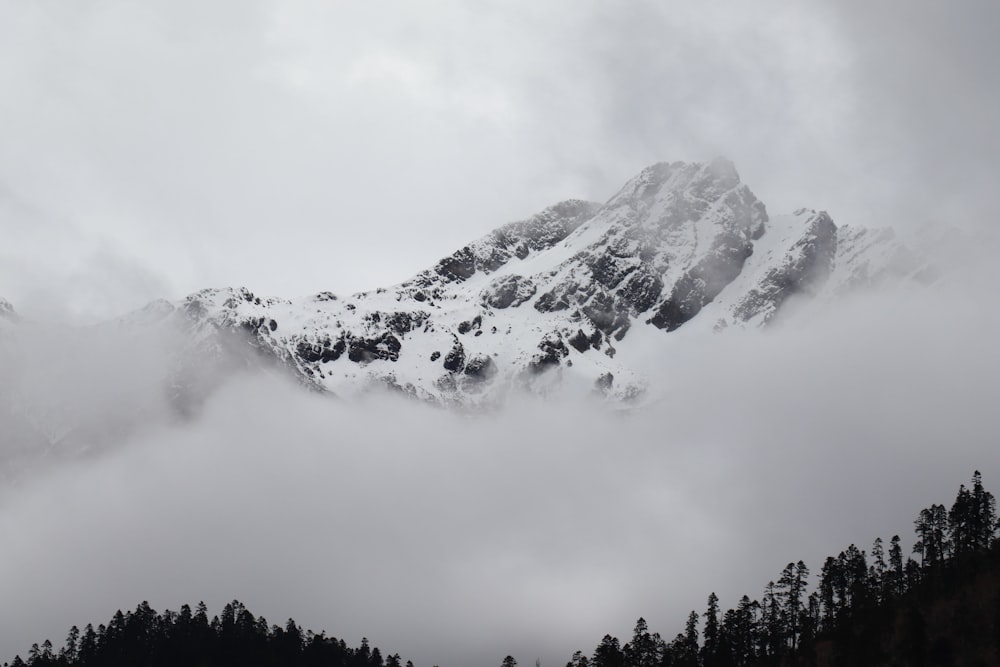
(554, 300)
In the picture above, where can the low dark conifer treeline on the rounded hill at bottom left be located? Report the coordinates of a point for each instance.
(146, 638)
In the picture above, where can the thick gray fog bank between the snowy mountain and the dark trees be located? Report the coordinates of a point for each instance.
(533, 530)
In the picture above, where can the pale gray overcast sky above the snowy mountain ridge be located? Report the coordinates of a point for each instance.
(149, 150)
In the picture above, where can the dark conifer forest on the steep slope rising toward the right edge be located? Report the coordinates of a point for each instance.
(865, 606)
